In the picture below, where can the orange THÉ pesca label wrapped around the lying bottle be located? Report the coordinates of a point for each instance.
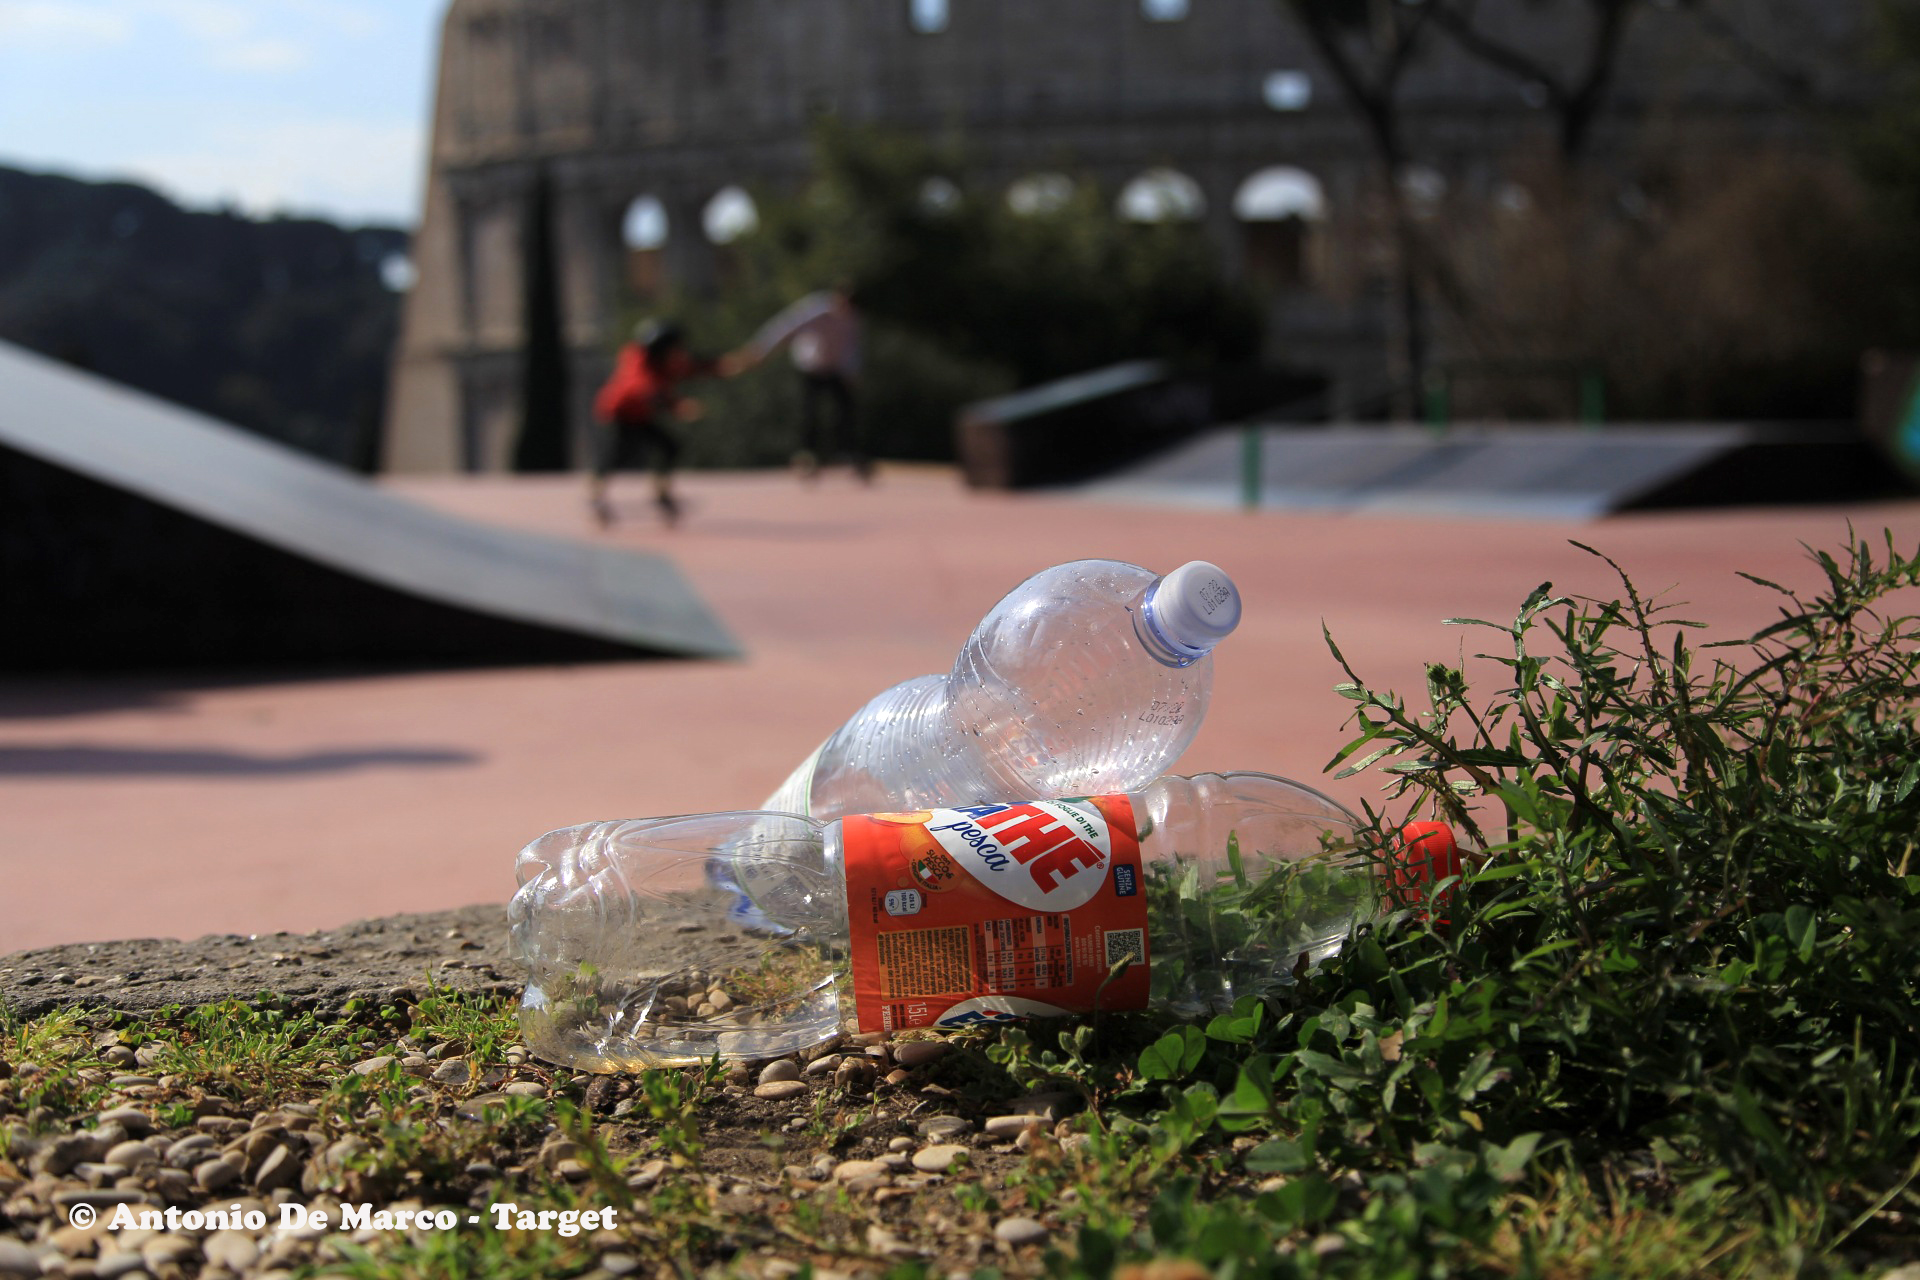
(996, 913)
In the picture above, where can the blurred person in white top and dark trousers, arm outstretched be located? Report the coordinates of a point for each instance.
(823, 337)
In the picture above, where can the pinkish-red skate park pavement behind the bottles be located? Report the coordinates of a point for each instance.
(143, 807)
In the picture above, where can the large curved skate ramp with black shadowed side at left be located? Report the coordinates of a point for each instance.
(137, 534)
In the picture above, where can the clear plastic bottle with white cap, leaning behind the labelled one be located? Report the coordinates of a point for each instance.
(1088, 678)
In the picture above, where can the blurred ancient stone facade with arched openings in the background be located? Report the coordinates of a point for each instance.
(648, 120)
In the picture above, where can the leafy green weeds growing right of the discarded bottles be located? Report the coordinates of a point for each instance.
(1669, 1010)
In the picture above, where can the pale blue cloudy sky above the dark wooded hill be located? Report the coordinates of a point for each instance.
(274, 107)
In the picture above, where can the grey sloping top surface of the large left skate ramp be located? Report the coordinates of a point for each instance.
(308, 510)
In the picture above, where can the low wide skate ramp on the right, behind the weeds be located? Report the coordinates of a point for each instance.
(1533, 473)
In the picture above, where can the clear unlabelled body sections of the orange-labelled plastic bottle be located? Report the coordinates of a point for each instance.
(638, 953)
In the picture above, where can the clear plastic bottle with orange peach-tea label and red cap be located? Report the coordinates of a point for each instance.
(1184, 897)
